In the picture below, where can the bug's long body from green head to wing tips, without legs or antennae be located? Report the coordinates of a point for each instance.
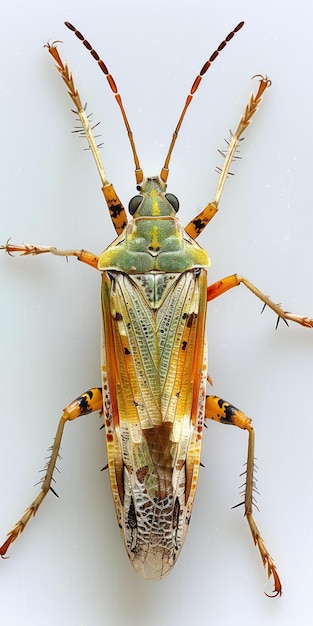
(154, 302)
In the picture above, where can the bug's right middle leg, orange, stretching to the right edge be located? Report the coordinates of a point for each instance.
(223, 285)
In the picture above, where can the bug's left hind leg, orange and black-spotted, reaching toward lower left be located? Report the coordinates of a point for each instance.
(86, 403)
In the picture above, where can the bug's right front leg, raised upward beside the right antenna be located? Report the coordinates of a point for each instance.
(196, 226)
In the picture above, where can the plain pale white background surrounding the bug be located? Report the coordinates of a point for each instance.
(69, 567)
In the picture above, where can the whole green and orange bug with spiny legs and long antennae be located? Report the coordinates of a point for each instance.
(154, 363)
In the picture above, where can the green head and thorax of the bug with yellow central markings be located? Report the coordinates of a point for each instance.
(154, 239)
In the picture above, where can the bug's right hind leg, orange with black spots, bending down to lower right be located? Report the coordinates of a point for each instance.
(225, 413)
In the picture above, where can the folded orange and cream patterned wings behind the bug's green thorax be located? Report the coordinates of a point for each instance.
(154, 374)
